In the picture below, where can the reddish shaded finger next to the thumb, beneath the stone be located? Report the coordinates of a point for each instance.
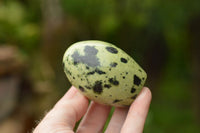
(95, 118)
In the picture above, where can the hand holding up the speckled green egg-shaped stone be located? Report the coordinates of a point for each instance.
(73, 105)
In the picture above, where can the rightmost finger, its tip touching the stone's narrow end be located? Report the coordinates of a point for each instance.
(136, 117)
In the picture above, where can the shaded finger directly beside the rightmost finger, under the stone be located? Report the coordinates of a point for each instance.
(117, 120)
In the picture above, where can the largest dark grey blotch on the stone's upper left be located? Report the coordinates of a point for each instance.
(89, 58)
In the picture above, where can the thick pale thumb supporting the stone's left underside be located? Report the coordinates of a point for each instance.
(68, 110)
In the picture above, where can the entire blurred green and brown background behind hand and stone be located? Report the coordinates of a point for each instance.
(162, 36)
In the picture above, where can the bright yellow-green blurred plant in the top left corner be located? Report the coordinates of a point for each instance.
(15, 28)
